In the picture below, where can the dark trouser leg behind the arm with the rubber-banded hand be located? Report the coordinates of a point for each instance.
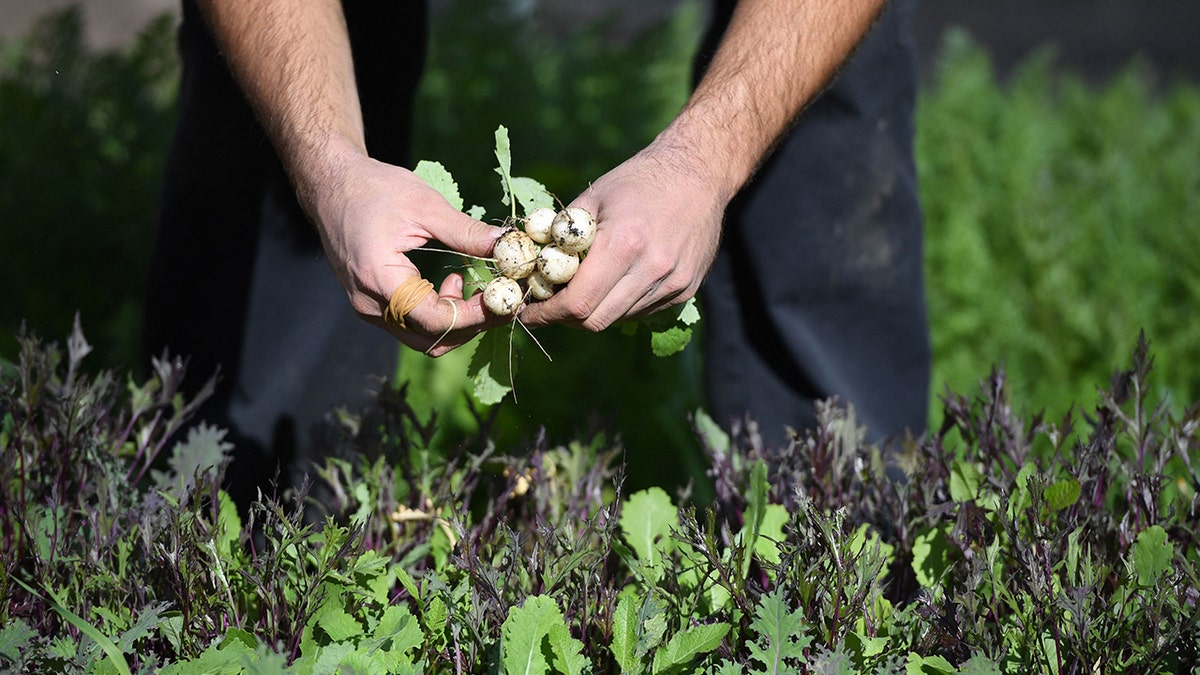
(238, 280)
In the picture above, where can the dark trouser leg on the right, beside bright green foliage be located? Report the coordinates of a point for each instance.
(819, 290)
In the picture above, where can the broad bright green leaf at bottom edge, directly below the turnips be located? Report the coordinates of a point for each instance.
(525, 631)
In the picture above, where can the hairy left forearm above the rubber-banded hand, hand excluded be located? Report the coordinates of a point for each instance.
(292, 58)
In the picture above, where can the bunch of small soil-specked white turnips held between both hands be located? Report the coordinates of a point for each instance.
(535, 261)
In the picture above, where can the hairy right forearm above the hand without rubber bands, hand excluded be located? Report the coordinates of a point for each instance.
(776, 57)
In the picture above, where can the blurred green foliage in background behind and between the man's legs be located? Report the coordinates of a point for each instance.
(1061, 217)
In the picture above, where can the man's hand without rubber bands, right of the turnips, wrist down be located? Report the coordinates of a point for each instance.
(659, 226)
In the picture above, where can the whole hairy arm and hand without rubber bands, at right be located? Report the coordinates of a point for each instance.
(661, 212)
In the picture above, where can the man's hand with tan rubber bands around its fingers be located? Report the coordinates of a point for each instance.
(370, 217)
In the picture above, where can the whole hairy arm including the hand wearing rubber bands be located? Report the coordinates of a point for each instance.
(293, 61)
